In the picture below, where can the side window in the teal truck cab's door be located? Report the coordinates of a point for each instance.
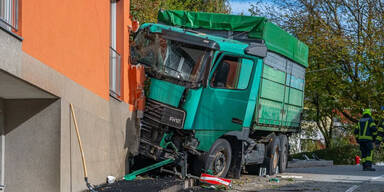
(232, 73)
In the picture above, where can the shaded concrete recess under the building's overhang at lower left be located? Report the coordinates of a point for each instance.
(32, 150)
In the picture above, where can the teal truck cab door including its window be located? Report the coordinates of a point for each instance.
(224, 100)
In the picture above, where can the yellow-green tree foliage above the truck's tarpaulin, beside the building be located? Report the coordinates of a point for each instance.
(146, 10)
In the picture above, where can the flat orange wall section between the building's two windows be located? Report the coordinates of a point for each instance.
(72, 37)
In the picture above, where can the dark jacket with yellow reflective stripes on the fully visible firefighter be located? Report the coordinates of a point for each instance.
(366, 129)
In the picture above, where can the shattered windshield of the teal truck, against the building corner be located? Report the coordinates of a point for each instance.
(170, 58)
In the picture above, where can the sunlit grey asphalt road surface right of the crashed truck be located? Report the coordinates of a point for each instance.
(345, 178)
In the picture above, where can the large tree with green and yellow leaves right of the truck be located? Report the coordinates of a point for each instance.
(346, 60)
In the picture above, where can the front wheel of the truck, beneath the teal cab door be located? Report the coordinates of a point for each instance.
(219, 158)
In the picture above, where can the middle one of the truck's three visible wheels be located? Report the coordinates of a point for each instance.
(272, 159)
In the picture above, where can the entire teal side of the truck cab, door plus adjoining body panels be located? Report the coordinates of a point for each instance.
(224, 109)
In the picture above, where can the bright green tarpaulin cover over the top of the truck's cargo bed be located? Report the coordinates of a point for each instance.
(276, 39)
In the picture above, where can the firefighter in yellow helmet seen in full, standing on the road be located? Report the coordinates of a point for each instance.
(365, 133)
